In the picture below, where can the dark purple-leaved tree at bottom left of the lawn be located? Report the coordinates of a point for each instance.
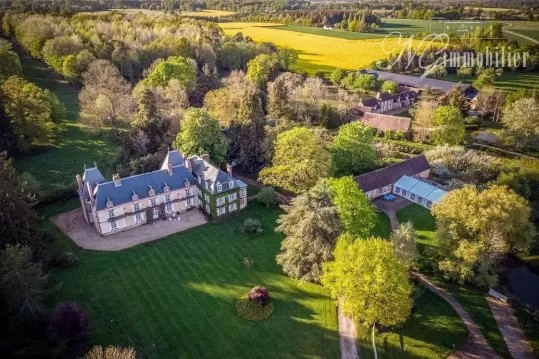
(68, 331)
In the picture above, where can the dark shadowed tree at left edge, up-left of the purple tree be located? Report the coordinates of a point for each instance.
(22, 283)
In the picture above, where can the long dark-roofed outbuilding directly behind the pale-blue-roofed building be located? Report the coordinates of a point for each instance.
(380, 182)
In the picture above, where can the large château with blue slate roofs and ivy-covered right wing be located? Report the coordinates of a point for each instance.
(180, 185)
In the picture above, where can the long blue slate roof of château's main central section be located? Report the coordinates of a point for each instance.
(140, 184)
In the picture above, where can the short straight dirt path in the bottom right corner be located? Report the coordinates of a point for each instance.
(514, 337)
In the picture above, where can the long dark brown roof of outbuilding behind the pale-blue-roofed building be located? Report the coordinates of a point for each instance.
(391, 174)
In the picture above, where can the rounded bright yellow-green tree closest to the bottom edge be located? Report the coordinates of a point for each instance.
(371, 281)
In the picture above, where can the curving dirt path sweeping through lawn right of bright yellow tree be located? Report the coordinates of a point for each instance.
(477, 346)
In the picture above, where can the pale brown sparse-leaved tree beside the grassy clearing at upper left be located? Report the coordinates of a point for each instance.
(105, 98)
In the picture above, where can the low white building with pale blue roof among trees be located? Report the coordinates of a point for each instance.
(420, 192)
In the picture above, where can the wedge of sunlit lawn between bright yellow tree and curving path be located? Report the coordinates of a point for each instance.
(434, 330)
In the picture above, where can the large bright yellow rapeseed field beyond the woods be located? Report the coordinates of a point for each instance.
(317, 52)
